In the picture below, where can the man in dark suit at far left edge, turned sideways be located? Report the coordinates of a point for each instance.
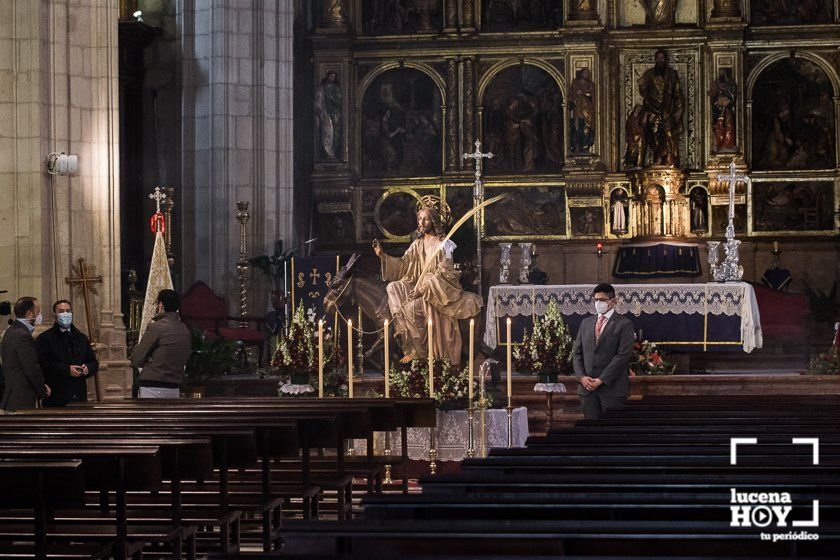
(24, 379)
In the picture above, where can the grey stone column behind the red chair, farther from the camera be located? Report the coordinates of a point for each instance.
(236, 133)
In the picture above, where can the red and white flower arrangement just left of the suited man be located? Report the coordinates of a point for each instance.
(547, 349)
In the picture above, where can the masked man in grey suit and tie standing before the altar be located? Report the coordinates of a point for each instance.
(601, 355)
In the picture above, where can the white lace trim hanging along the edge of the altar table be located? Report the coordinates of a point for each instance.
(736, 299)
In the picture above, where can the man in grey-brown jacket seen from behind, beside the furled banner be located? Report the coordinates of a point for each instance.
(162, 353)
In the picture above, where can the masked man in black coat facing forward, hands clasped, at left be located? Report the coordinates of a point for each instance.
(66, 357)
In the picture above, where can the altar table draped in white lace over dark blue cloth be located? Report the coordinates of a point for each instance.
(704, 317)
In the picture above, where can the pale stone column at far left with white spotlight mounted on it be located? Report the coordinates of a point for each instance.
(61, 72)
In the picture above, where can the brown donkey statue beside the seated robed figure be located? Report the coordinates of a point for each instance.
(369, 294)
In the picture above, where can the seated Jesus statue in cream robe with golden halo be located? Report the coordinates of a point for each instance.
(437, 295)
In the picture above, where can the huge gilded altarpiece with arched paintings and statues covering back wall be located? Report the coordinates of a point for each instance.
(561, 94)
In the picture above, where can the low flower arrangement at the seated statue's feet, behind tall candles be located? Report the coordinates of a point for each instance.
(451, 383)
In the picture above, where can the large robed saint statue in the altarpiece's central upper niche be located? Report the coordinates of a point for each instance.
(662, 111)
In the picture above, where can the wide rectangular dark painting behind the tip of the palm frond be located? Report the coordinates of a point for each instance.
(535, 211)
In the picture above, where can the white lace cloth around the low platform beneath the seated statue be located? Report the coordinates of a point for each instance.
(451, 433)
